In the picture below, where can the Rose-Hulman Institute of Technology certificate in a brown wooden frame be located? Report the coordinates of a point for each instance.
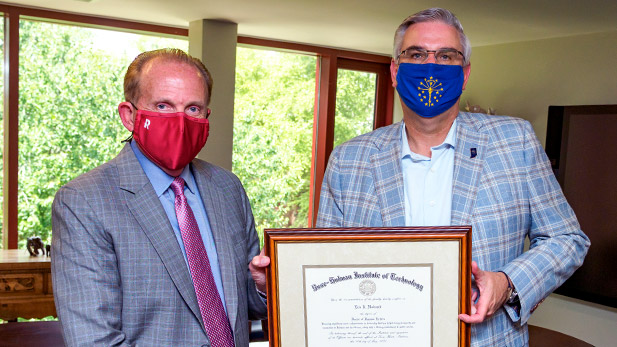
(402, 286)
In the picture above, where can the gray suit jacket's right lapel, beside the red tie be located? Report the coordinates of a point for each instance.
(215, 206)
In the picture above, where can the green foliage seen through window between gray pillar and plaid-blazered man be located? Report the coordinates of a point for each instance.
(273, 131)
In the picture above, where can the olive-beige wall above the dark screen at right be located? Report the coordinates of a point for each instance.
(523, 79)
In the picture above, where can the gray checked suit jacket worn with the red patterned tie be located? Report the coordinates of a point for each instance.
(118, 273)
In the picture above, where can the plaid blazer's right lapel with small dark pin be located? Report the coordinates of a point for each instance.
(471, 146)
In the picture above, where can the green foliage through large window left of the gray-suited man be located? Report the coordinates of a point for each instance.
(68, 122)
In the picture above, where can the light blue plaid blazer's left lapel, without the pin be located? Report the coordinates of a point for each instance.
(388, 177)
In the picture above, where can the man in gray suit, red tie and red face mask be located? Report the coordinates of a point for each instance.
(154, 247)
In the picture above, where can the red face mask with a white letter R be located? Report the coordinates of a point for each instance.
(170, 140)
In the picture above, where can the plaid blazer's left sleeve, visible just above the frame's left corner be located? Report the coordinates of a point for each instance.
(330, 213)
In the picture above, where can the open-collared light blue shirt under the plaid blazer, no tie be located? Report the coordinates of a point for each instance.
(428, 182)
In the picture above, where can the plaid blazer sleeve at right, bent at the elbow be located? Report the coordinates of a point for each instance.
(557, 243)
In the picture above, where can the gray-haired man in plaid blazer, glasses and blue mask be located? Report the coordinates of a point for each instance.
(493, 175)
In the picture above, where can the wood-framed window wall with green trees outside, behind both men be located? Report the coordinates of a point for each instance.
(64, 81)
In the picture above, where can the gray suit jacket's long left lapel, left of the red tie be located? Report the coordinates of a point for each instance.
(145, 206)
